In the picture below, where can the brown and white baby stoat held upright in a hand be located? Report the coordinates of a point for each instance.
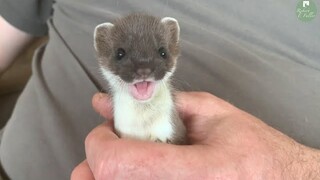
(137, 56)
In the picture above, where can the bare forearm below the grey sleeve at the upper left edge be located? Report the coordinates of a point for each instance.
(12, 42)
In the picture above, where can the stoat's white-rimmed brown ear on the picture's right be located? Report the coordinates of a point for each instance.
(172, 29)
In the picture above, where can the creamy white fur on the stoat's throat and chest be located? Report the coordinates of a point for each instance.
(149, 120)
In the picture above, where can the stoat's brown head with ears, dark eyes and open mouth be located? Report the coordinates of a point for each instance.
(138, 52)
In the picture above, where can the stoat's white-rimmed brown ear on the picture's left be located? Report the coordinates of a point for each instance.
(102, 38)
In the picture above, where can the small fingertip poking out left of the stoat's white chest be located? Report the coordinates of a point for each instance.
(102, 104)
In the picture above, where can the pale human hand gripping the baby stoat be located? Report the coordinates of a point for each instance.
(225, 143)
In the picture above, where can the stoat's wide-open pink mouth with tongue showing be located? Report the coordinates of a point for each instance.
(142, 90)
